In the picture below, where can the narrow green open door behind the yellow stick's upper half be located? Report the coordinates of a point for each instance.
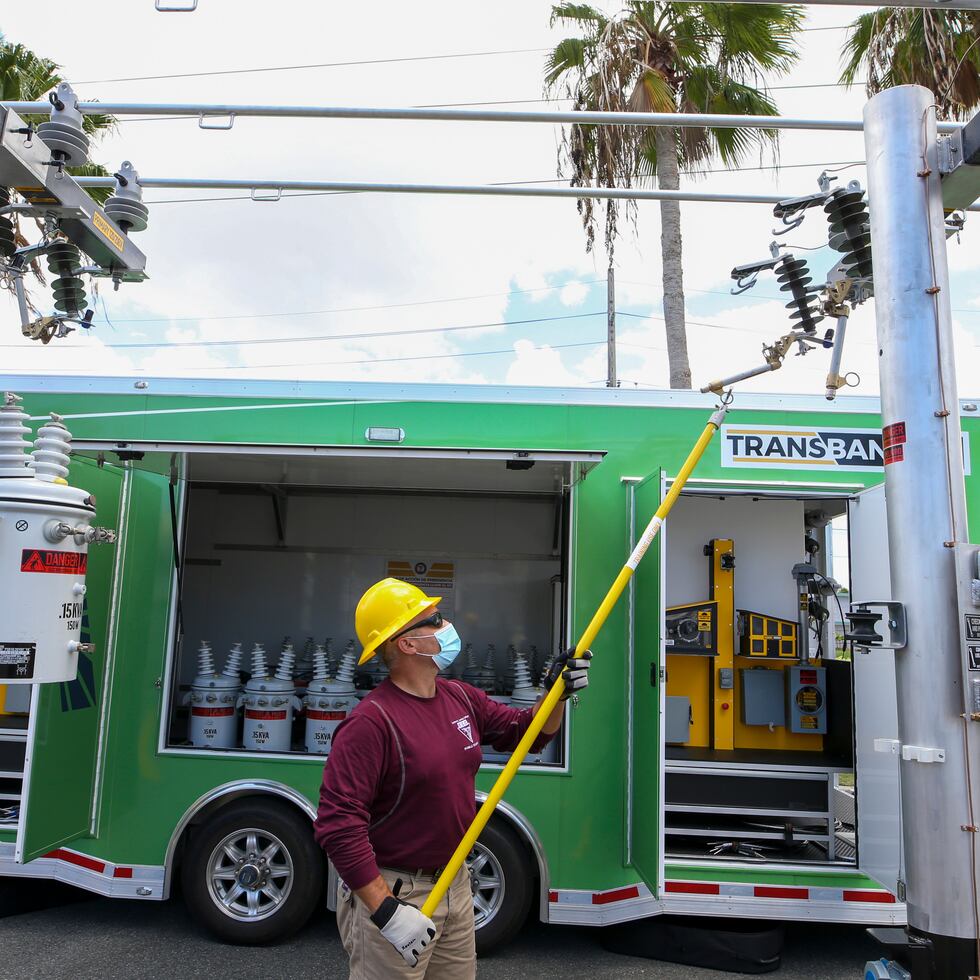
(644, 745)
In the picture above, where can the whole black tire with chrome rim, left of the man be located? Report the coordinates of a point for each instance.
(268, 899)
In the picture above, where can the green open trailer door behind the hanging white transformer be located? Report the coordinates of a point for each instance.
(66, 720)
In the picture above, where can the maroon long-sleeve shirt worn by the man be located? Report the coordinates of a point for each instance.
(398, 785)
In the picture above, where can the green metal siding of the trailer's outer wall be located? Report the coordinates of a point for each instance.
(579, 815)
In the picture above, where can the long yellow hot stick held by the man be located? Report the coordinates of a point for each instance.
(551, 699)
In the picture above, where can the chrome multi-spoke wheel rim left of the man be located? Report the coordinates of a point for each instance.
(250, 874)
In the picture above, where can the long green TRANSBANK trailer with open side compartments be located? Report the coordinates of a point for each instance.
(722, 763)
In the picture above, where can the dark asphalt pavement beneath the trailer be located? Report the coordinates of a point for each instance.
(109, 939)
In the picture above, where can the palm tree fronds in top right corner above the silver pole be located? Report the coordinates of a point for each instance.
(939, 49)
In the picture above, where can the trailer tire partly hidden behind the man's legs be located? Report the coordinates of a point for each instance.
(501, 865)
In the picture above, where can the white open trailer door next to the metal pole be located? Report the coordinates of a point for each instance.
(875, 701)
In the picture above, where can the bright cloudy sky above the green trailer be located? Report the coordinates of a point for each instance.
(249, 289)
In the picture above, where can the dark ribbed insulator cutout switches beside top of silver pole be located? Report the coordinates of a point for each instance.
(848, 283)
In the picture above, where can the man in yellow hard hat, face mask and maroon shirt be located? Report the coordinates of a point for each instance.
(398, 789)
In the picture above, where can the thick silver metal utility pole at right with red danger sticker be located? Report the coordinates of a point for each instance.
(927, 530)
